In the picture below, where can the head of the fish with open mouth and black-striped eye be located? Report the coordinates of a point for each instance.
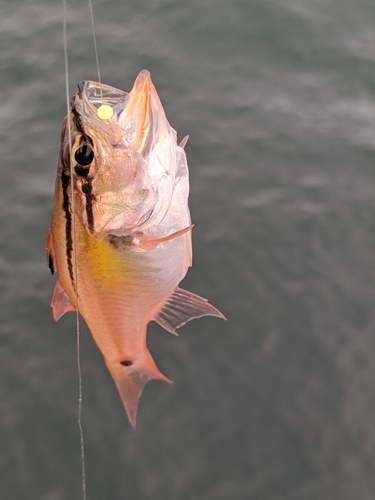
(124, 166)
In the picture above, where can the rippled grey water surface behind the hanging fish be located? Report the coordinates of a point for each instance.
(278, 403)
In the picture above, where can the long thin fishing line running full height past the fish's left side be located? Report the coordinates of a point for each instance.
(78, 347)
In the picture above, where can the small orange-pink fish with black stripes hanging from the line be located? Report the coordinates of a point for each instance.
(120, 236)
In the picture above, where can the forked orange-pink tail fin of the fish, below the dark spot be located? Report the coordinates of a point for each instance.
(131, 377)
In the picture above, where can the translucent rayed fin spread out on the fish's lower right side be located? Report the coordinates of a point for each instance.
(183, 306)
